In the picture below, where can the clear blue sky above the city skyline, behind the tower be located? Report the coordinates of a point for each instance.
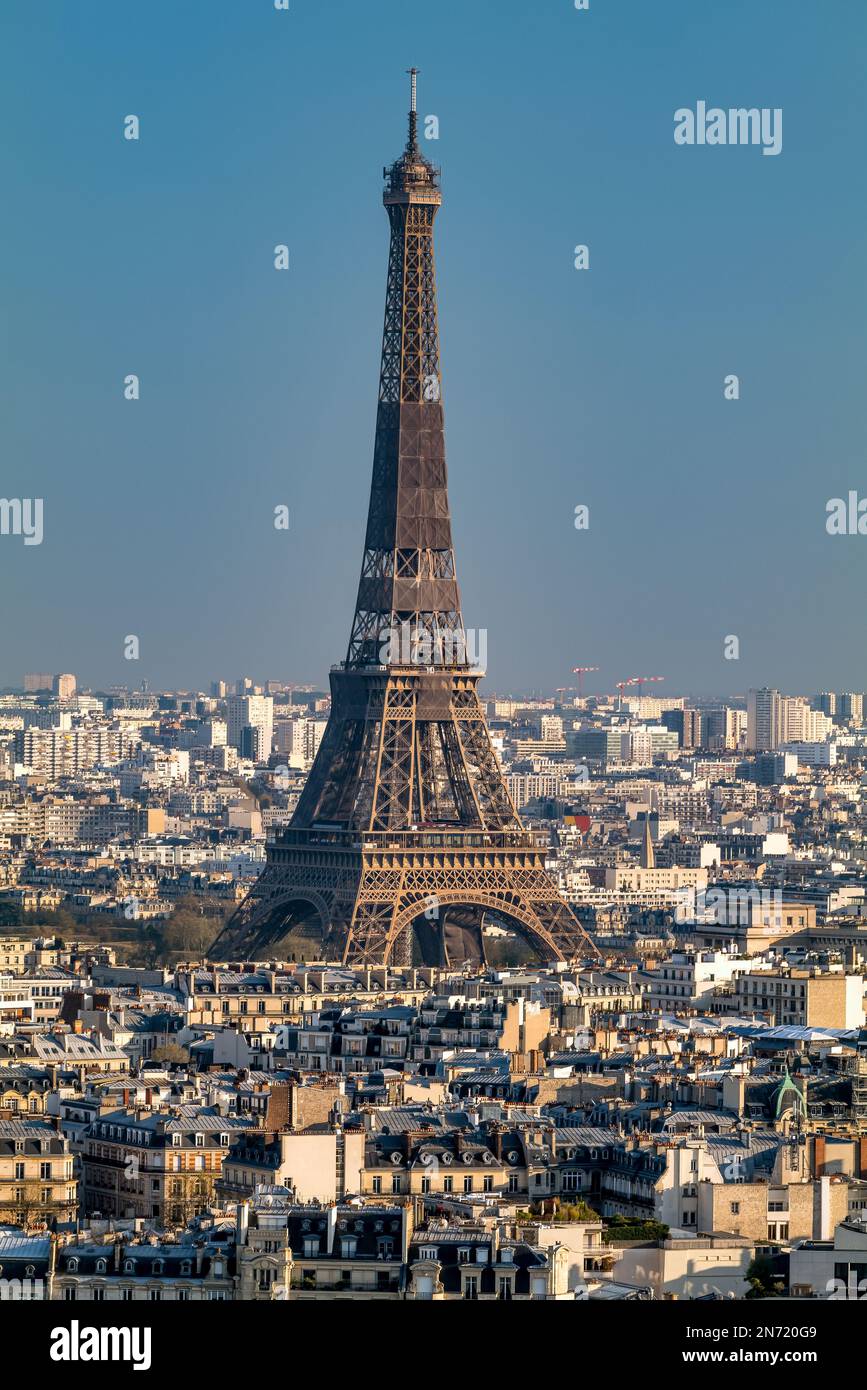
(562, 387)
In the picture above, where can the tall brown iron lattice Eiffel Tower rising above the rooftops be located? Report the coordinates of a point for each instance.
(406, 828)
